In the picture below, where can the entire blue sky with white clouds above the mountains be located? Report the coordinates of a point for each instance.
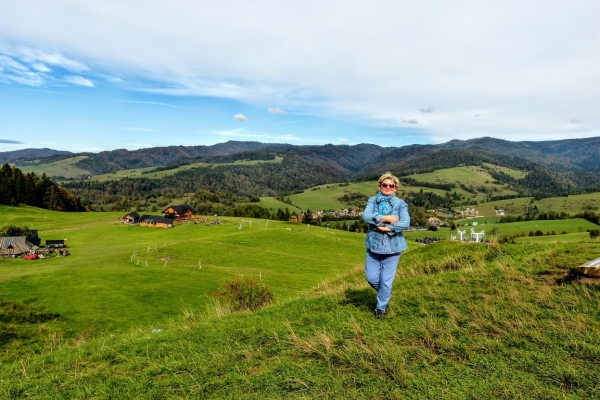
(91, 76)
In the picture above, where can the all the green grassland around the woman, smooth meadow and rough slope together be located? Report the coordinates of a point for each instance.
(466, 321)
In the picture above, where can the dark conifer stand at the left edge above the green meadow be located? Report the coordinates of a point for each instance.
(19, 188)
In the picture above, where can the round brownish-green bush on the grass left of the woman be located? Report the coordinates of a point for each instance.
(244, 294)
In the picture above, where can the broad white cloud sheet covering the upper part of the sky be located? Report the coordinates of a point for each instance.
(523, 67)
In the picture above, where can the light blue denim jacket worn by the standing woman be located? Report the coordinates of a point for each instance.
(371, 216)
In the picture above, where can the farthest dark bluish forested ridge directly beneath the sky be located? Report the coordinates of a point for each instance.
(564, 155)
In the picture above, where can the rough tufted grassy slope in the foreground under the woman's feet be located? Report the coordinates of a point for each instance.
(466, 321)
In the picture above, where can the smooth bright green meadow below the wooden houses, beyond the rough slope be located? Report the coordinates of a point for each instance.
(119, 276)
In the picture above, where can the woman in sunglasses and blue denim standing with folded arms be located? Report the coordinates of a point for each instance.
(387, 217)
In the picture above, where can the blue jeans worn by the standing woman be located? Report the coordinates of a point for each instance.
(380, 270)
